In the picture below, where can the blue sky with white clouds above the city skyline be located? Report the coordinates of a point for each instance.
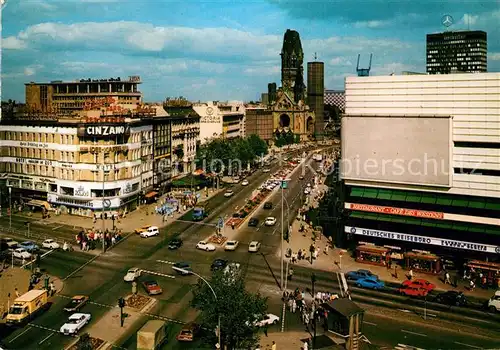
(221, 50)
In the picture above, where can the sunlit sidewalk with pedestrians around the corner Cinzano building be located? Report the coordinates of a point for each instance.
(144, 215)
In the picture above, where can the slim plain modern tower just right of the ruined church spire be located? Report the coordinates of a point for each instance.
(316, 94)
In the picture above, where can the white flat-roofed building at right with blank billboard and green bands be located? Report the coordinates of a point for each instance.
(421, 166)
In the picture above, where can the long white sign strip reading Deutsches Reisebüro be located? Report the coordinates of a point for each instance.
(450, 243)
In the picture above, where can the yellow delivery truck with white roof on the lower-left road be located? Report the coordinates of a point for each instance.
(27, 307)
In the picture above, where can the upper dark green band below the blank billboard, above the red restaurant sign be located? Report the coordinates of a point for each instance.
(426, 198)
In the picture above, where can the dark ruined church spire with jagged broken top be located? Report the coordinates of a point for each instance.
(292, 69)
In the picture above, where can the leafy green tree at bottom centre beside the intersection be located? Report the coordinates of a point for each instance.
(237, 308)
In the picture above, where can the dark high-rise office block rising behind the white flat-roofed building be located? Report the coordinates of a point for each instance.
(457, 52)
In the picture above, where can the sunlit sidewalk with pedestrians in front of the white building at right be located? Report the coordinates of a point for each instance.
(338, 260)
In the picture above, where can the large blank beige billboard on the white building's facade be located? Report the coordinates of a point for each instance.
(399, 149)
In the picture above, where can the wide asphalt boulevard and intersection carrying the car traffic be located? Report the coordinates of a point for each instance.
(390, 320)
